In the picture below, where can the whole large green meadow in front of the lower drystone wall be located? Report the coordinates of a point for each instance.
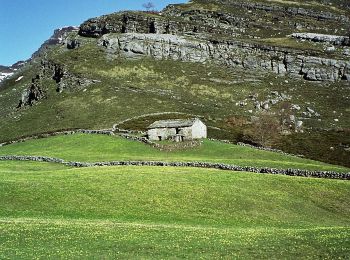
(53, 211)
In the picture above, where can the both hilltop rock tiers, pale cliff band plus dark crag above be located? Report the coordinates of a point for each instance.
(203, 35)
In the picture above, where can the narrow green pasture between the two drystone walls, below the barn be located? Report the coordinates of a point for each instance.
(97, 148)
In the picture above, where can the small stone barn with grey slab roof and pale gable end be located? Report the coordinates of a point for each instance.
(177, 130)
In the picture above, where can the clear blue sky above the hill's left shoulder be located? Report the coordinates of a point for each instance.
(26, 24)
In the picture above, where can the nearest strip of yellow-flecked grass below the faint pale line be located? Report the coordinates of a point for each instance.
(48, 239)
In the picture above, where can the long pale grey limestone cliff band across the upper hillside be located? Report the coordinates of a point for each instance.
(229, 53)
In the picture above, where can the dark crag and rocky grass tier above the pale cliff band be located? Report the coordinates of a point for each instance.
(222, 18)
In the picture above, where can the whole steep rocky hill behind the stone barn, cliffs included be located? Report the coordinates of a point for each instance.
(225, 61)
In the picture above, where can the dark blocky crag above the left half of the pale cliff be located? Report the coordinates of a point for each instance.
(138, 22)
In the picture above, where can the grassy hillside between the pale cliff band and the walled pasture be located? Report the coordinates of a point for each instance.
(128, 88)
